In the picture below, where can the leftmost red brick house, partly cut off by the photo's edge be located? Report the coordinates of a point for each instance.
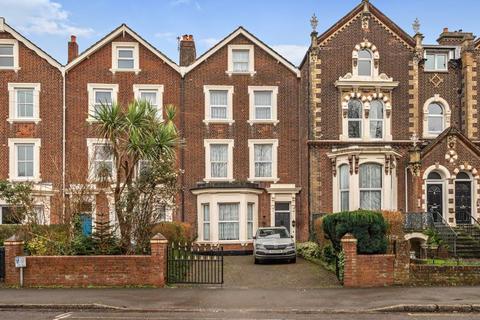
(31, 113)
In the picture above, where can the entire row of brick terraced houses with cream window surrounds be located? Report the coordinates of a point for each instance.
(372, 118)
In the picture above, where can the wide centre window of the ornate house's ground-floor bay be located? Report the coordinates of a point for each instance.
(370, 186)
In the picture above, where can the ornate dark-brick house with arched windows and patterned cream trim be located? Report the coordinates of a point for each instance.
(393, 122)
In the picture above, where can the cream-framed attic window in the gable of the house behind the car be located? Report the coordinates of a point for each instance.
(240, 59)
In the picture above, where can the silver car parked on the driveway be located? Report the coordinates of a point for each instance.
(274, 243)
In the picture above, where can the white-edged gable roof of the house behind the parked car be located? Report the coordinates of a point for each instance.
(249, 36)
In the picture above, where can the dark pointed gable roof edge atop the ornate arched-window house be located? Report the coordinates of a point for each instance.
(377, 14)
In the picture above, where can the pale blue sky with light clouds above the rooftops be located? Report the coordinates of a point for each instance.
(282, 24)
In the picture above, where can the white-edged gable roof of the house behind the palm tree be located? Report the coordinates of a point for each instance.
(112, 35)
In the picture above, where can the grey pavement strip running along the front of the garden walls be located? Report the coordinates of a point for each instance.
(313, 301)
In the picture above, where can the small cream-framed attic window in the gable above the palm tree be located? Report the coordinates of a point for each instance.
(125, 57)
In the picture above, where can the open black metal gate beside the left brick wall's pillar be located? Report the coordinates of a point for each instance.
(194, 264)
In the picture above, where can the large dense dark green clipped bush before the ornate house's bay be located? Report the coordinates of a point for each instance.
(368, 227)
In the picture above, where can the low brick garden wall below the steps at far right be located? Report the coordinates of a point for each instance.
(424, 275)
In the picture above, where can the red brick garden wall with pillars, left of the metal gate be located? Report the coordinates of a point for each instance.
(83, 271)
